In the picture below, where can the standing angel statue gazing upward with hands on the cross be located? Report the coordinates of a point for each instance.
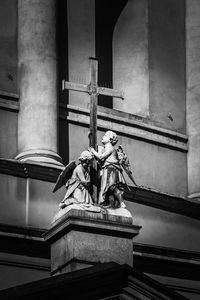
(112, 162)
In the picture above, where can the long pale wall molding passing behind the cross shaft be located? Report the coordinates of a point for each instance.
(128, 125)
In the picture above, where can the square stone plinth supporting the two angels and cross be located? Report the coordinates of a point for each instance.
(80, 239)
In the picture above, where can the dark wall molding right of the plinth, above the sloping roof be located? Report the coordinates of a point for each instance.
(165, 261)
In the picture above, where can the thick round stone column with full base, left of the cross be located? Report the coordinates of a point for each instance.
(37, 124)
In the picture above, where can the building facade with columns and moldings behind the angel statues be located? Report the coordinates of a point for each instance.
(149, 50)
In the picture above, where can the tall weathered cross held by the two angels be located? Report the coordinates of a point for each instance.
(93, 90)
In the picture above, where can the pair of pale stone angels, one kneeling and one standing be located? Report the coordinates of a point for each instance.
(111, 161)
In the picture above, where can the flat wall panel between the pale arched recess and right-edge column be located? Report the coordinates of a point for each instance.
(166, 44)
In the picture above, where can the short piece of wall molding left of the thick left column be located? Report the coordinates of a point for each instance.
(9, 101)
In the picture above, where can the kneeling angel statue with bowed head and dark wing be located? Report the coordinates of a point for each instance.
(77, 181)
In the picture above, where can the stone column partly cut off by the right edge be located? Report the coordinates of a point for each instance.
(193, 95)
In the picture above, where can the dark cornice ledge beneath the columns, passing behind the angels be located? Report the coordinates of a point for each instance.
(144, 196)
